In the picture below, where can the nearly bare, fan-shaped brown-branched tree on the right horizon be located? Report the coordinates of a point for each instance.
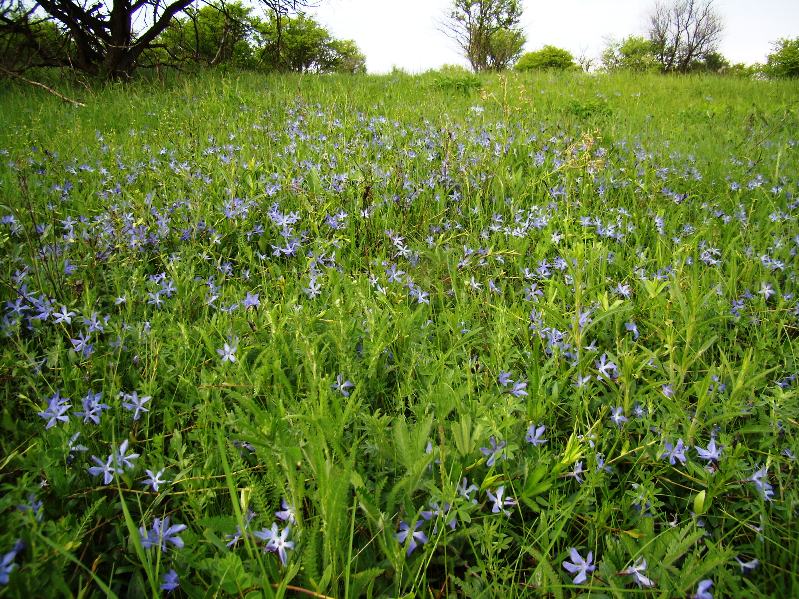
(683, 32)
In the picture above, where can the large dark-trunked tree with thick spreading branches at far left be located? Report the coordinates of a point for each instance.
(101, 35)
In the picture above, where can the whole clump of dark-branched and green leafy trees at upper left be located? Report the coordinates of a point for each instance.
(112, 38)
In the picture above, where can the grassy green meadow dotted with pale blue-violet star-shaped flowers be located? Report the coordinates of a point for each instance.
(508, 336)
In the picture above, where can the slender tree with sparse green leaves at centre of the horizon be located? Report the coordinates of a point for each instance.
(487, 31)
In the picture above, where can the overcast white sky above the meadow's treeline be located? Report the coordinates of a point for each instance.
(404, 33)
